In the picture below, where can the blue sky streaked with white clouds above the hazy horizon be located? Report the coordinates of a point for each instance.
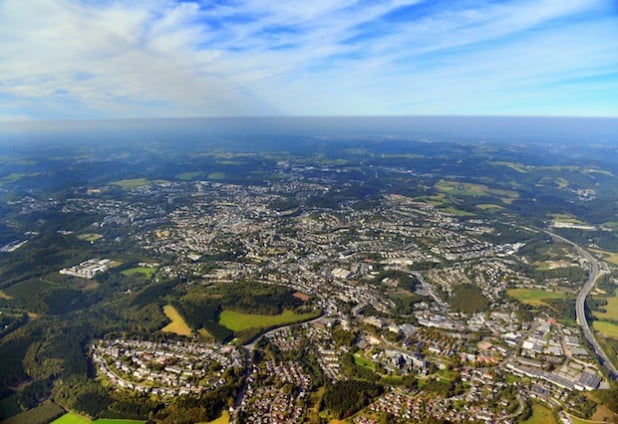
(89, 59)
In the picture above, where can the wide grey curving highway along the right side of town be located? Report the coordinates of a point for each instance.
(593, 274)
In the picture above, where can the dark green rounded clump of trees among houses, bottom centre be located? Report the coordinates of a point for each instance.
(345, 398)
